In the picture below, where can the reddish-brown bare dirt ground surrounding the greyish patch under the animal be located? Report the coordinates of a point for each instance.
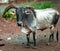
(10, 28)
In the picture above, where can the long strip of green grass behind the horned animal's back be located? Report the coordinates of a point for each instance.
(41, 5)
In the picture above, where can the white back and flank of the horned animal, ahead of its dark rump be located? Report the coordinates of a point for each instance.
(44, 17)
